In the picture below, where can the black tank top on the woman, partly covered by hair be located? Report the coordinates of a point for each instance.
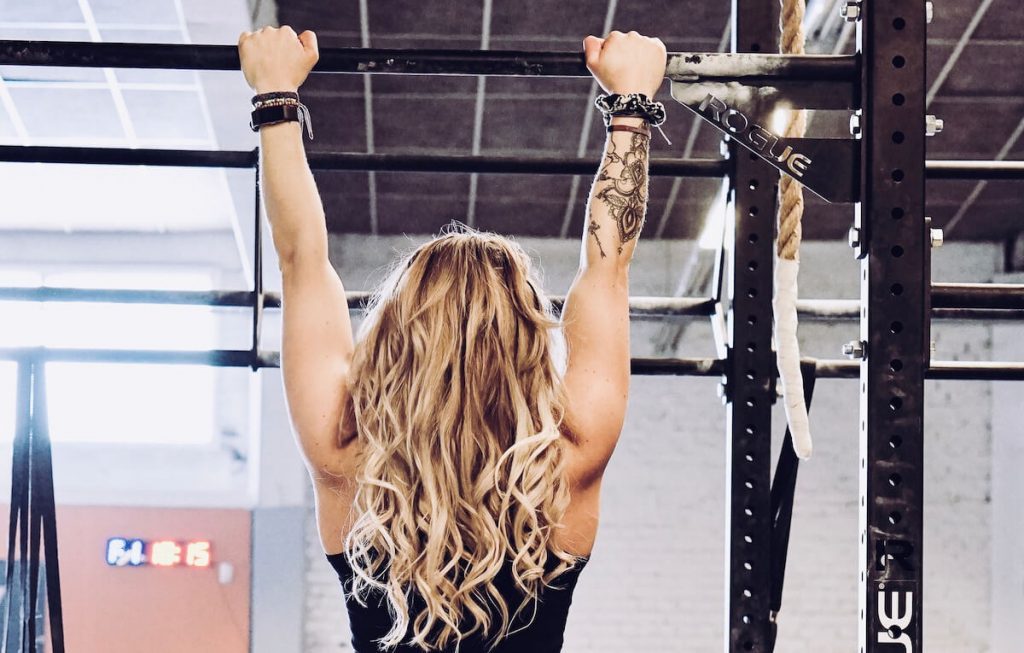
(372, 622)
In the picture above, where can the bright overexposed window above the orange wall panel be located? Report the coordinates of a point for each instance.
(115, 403)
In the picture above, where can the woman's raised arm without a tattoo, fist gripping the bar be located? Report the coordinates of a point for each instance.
(317, 343)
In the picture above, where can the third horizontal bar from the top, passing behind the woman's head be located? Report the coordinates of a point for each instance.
(808, 310)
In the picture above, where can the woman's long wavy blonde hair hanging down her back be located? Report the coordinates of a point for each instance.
(459, 409)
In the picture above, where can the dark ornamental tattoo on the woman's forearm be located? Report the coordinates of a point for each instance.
(626, 197)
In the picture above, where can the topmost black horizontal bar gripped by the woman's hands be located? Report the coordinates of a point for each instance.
(681, 66)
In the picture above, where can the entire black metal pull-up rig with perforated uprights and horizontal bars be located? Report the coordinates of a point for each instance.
(893, 244)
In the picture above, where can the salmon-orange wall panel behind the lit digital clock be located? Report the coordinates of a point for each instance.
(154, 610)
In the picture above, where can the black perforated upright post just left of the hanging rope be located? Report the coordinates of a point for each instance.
(750, 388)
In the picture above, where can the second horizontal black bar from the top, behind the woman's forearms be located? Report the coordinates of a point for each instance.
(353, 161)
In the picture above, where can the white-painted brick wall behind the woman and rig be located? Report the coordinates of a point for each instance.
(656, 581)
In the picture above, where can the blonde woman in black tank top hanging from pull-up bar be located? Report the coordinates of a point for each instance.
(457, 469)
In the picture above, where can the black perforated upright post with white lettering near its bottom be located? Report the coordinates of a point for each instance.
(895, 285)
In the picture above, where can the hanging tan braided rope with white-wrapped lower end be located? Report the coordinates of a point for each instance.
(791, 214)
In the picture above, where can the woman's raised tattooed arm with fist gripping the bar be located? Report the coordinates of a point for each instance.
(595, 320)
